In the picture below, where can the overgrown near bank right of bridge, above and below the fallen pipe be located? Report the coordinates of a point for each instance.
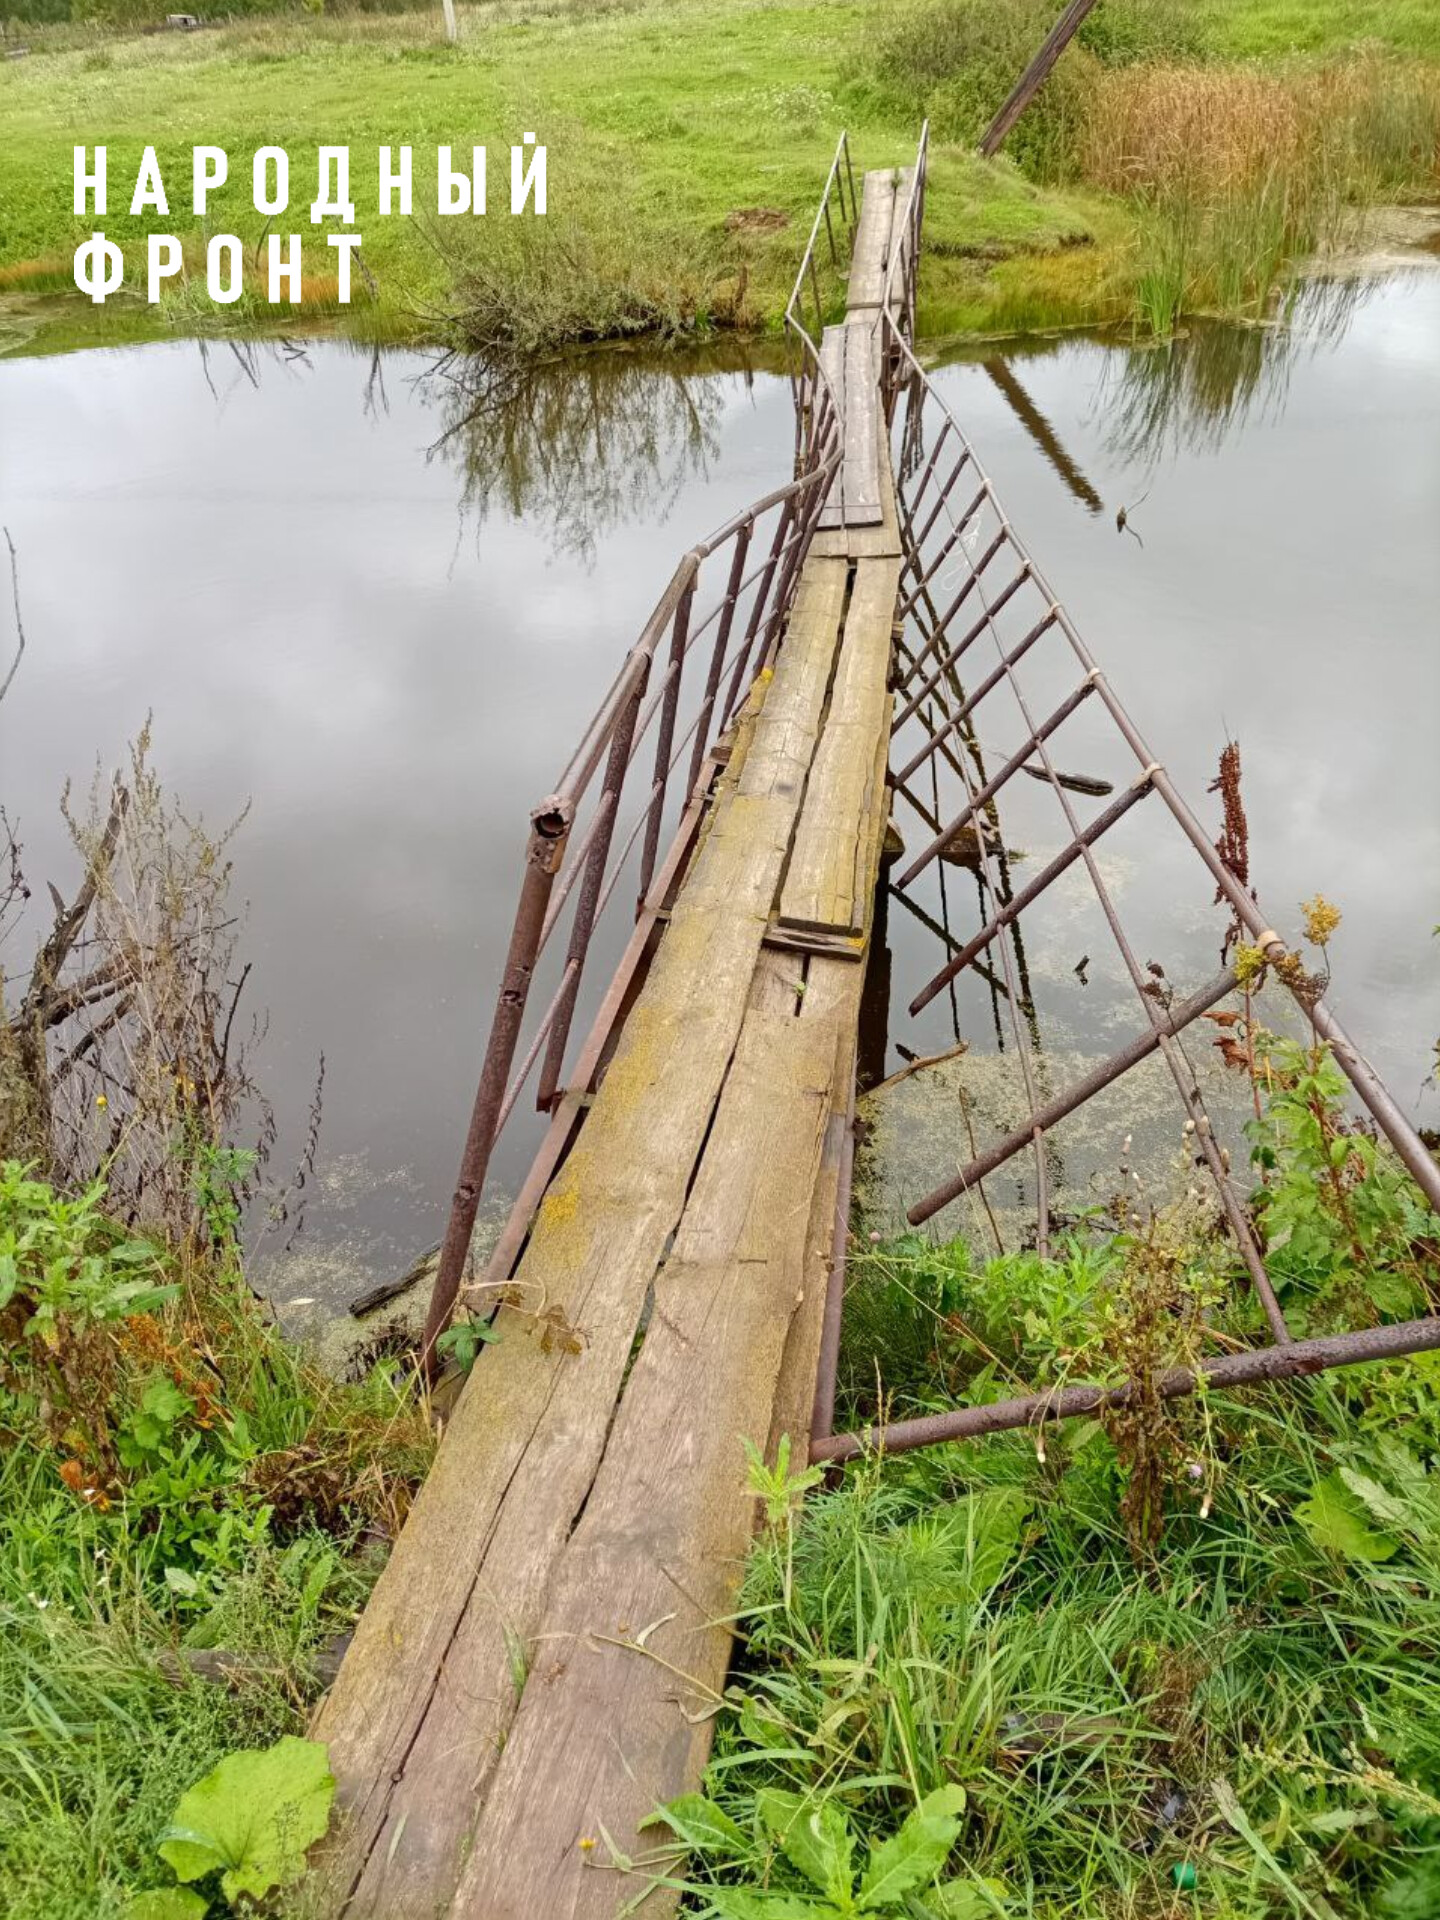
(1172, 1662)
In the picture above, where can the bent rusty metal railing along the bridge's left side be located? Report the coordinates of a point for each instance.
(644, 769)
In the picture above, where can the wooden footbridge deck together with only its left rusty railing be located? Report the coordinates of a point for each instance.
(540, 1662)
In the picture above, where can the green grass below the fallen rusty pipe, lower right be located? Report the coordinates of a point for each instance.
(1241, 1729)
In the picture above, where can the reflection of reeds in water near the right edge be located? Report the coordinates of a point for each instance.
(1189, 395)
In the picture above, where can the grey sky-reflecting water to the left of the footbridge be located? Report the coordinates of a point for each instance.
(377, 650)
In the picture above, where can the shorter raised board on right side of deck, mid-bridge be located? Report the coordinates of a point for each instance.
(827, 878)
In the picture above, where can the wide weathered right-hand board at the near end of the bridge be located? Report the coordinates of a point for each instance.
(635, 1643)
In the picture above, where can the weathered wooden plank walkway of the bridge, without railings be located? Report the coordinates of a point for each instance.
(540, 1658)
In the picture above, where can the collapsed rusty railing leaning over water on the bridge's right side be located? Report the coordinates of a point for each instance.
(969, 581)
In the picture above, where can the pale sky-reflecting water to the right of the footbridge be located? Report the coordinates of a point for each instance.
(1285, 590)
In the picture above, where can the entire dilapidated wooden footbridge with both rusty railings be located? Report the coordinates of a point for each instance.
(542, 1660)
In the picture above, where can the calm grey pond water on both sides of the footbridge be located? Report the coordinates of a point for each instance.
(375, 602)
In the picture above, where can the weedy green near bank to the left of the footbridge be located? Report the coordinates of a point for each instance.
(189, 1516)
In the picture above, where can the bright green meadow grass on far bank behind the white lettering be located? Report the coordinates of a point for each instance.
(648, 153)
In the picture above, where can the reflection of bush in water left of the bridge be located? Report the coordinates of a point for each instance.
(579, 444)
